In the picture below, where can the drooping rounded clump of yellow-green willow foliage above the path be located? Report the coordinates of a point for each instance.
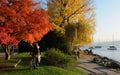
(79, 34)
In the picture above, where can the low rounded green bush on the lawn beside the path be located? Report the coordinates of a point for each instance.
(57, 58)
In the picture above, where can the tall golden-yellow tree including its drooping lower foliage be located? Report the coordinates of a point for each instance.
(75, 18)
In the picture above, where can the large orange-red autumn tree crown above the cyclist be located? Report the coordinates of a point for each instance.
(27, 22)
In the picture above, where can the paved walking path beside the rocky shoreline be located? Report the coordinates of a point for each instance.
(93, 69)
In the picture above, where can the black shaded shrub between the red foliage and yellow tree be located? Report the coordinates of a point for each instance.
(56, 38)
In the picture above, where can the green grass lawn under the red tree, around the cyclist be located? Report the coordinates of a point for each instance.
(24, 69)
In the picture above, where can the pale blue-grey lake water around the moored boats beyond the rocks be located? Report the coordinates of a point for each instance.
(112, 54)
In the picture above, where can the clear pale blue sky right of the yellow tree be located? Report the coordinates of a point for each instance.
(107, 20)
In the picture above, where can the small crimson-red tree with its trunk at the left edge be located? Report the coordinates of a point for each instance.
(6, 40)
